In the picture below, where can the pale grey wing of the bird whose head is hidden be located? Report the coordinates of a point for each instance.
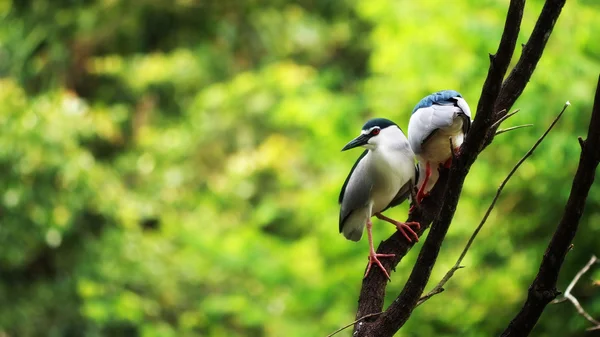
(425, 121)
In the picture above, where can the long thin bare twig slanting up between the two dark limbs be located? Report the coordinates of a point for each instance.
(450, 273)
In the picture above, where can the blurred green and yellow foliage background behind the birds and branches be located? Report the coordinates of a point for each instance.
(171, 168)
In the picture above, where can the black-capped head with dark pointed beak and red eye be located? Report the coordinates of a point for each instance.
(374, 133)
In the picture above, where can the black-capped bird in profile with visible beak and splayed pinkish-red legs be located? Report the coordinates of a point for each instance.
(382, 177)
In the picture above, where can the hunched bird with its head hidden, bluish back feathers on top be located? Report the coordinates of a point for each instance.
(435, 120)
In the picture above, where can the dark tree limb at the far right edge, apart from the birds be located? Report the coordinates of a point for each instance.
(543, 289)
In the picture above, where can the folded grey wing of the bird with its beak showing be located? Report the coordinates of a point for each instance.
(357, 191)
